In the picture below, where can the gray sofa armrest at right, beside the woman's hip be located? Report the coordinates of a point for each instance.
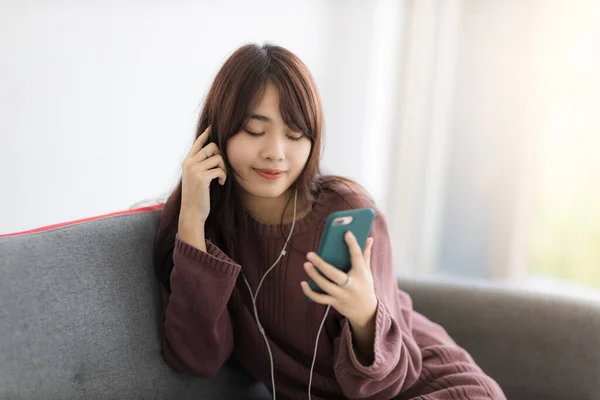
(534, 344)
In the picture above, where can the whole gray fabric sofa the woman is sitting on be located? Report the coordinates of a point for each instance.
(80, 312)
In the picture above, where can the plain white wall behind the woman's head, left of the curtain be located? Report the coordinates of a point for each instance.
(99, 100)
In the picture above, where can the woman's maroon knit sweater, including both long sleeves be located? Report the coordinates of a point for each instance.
(208, 316)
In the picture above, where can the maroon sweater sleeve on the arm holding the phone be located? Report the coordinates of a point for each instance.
(397, 360)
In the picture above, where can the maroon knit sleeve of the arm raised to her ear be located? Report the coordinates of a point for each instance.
(196, 324)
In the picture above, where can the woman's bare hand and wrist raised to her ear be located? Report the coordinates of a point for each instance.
(199, 168)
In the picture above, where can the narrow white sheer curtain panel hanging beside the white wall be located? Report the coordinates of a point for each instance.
(426, 85)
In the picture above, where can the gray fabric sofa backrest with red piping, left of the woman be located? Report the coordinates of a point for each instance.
(80, 315)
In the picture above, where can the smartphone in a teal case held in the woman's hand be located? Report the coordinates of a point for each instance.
(333, 248)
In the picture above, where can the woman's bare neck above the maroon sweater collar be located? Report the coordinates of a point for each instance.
(269, 210)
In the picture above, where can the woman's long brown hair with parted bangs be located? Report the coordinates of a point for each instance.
(236, 90)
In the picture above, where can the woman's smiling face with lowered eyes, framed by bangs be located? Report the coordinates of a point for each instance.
(267, 143)
